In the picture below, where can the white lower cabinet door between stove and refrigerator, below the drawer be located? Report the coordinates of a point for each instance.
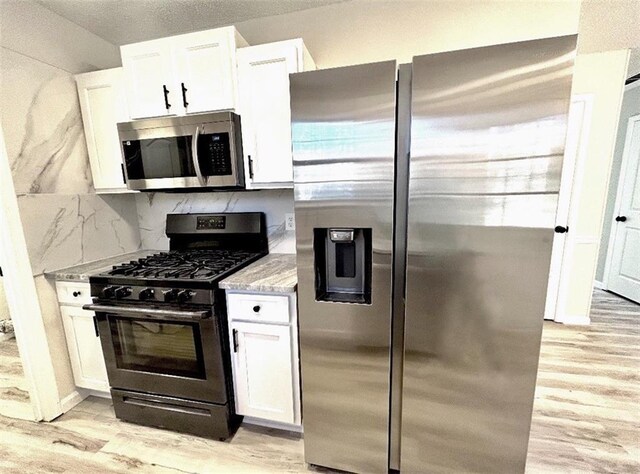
(263, 371)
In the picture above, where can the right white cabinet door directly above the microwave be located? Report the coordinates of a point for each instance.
(205, 70)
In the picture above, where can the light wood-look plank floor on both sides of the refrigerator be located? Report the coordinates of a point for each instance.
(586, 418)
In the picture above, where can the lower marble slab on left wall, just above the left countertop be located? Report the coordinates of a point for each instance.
(64, 230)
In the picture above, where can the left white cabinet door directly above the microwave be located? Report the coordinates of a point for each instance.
(147, 72)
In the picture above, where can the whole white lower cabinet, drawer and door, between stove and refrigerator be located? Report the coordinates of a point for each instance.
(264, 357)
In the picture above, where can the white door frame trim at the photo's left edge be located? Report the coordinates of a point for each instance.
(22, 298)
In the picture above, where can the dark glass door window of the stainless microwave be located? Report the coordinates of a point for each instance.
(158, 158)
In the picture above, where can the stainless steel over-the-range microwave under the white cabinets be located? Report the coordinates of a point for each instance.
(194, 151)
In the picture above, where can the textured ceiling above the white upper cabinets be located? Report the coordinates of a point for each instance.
(128, 21)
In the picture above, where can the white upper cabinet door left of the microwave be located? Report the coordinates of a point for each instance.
(103, 105)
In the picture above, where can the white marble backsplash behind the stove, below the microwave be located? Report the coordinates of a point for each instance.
(154, 207)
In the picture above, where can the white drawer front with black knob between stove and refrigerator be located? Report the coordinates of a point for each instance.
(264, 308)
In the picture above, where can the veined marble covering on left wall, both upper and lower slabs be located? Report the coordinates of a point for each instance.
(64, 221)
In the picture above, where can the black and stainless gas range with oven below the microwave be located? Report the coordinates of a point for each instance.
(162, 324)
